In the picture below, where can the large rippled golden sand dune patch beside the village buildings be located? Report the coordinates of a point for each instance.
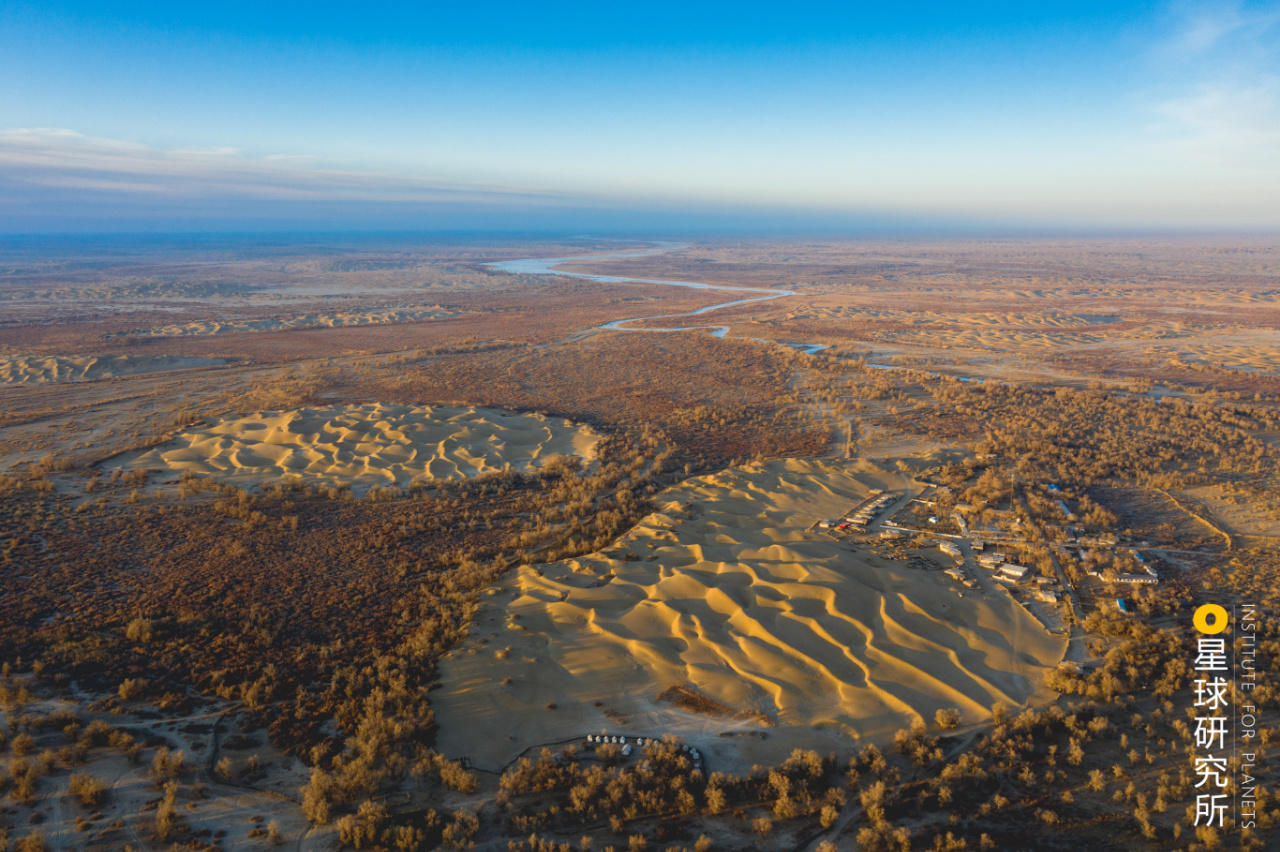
(740, 602)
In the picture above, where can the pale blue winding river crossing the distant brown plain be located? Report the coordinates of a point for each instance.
(547, 267)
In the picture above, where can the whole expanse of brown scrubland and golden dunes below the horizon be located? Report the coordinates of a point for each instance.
(373, 584)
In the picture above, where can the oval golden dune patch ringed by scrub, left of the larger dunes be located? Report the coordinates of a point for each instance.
(367, 446)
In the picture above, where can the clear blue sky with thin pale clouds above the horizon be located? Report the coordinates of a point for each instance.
(657, 116)
